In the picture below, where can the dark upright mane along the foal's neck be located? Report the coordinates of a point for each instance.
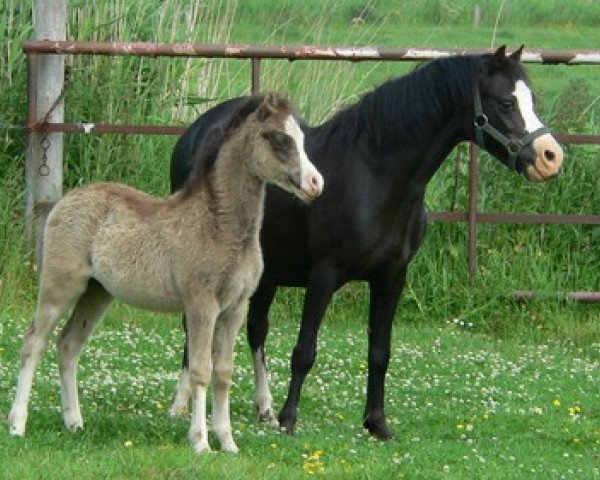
(205, 156)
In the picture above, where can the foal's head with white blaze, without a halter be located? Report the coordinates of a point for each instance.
(278, 155)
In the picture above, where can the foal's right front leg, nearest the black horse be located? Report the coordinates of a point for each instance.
(226, 329)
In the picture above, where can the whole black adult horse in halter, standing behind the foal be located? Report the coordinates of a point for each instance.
(376, 157)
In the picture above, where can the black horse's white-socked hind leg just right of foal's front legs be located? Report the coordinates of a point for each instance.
(258, 327)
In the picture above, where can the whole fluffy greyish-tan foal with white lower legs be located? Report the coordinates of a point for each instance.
(196, 251)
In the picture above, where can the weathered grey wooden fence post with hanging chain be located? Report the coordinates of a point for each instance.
(44, 156)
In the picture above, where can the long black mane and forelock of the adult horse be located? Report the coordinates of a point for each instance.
(406, 108)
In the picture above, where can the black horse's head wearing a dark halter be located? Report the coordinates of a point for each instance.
(506, 124)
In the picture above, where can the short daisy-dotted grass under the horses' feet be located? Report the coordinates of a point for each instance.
(462, 405)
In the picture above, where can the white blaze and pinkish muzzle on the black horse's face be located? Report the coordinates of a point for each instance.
(548, 153)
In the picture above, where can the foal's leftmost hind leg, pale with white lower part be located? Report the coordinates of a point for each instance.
(55, 297)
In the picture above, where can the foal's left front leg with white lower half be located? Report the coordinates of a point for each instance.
(201, 315)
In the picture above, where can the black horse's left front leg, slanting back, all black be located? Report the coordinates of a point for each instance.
(321, 285)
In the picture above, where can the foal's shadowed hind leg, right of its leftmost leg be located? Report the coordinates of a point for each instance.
(86, 314)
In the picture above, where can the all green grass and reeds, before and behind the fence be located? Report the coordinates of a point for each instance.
(479, 386)
